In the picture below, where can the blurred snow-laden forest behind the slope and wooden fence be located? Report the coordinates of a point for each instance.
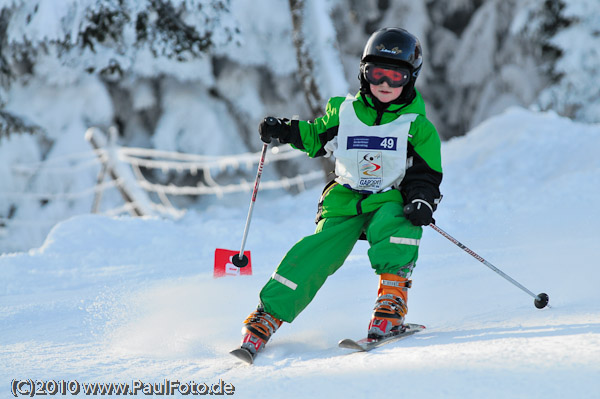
(197, 76)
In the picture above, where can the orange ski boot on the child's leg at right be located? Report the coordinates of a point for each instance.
(390, 307)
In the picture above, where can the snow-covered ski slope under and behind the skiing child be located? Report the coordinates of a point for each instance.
(123, 300)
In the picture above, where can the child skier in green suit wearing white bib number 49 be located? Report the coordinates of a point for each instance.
(387, 155)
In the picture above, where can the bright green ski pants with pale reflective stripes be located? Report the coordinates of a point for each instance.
(394, 245)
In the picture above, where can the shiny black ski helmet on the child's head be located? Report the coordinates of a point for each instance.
(394, 47)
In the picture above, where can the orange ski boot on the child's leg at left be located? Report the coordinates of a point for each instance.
(257, 330)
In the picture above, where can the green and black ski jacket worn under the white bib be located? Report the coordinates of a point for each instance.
(424, 166)
